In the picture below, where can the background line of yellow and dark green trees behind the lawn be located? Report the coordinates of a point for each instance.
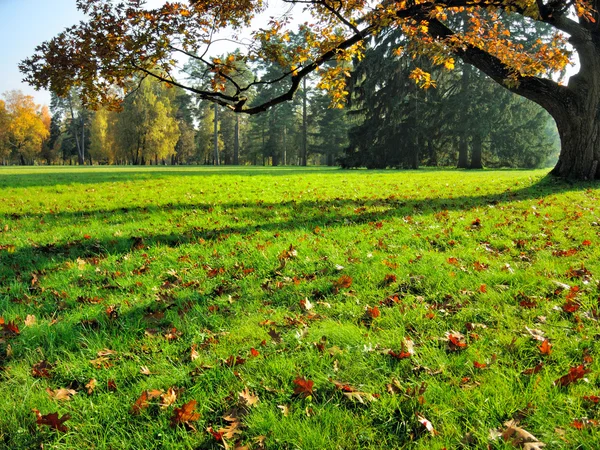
(466, 120)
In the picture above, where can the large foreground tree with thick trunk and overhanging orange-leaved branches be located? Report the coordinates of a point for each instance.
(121, 39)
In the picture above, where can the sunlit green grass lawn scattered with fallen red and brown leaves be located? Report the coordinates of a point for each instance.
(299, 308)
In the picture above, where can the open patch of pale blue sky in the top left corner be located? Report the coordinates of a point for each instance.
(23, 25)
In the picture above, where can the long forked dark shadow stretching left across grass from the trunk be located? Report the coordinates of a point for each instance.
(303, 215)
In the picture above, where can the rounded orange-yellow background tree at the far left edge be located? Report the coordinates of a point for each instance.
(26, 128)
